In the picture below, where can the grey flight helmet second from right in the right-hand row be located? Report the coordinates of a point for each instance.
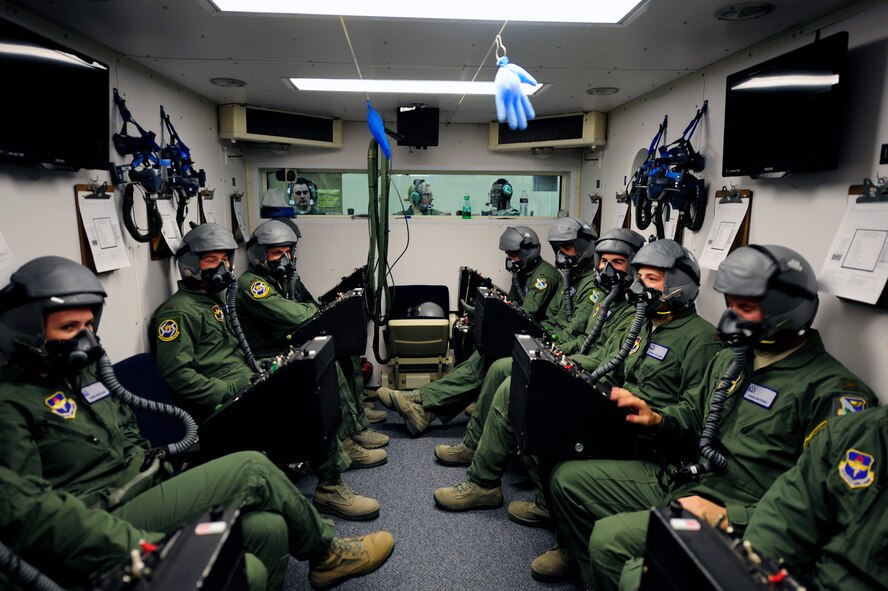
(680, 267)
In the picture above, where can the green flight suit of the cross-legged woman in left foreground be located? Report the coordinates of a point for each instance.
(77, 437)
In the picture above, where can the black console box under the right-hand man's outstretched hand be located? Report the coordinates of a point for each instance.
(557, 411)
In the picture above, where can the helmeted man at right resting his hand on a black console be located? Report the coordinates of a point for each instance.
(750, 414)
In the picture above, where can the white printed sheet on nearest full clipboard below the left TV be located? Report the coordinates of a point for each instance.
(102, 230)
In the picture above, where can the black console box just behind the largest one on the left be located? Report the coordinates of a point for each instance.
(345, 319)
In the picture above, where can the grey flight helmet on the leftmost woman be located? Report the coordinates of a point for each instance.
(39, 286)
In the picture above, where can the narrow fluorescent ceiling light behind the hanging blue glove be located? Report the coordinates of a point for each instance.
(405, 86)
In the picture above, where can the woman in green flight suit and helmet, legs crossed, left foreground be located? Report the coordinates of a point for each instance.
(81, 486)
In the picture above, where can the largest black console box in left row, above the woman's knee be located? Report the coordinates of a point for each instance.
(290, 412)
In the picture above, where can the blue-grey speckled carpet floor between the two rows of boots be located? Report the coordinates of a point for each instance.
(435, 549)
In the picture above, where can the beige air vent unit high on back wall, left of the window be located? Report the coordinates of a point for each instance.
(242, 123)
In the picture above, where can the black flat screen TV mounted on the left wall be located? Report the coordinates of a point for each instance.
(56, 103)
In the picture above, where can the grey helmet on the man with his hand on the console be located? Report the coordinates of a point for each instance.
(781, 279)
